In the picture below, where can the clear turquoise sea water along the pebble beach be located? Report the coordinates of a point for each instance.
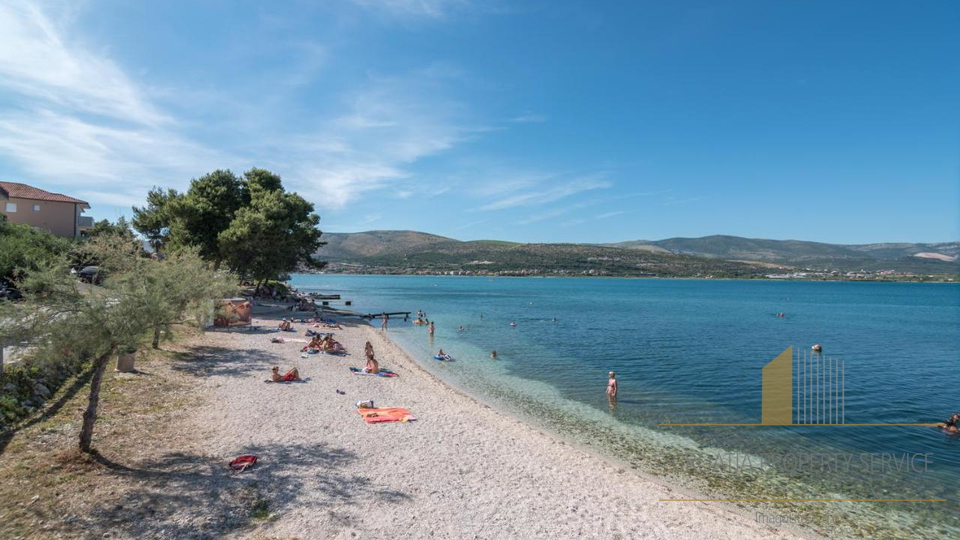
(689, 351)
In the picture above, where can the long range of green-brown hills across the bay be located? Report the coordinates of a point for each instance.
(721, 256)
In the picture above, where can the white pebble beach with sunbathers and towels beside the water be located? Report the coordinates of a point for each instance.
(462, 470)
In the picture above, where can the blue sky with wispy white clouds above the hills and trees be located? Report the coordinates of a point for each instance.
(529, 121)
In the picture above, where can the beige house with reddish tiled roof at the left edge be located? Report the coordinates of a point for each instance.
(53, 212)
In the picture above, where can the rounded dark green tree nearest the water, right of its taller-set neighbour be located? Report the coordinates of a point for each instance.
(274, 235)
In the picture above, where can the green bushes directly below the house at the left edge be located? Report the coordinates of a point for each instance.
(23, 248)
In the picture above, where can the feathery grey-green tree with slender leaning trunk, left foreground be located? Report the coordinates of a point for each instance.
(61, 318)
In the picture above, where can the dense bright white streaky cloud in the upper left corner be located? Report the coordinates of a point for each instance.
(76, 119)
